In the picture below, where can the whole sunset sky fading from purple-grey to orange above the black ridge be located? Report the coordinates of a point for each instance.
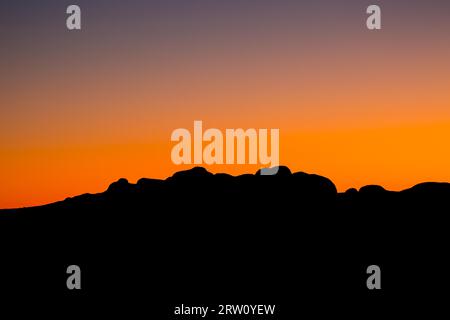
(80, 109)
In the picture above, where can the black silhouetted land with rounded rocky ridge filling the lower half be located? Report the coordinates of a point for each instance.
(198, 239)
